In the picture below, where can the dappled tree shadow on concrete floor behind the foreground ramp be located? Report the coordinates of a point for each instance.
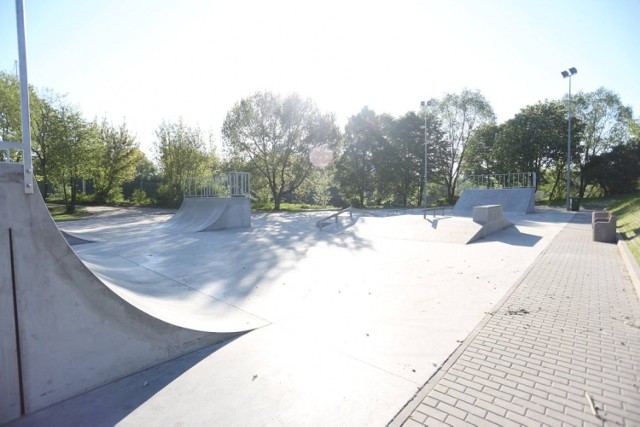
(228, 264)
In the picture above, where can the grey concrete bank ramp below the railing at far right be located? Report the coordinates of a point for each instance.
(512, 200)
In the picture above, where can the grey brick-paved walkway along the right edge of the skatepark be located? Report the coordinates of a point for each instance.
(568, 334)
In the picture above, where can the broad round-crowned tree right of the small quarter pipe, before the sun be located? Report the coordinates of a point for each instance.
(275, 136)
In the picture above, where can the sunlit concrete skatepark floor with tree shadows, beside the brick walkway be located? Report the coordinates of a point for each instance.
(354, 318)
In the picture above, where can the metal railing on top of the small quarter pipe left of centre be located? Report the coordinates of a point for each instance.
(233, 184)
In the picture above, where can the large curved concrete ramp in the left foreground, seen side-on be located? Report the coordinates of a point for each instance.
(62, 331)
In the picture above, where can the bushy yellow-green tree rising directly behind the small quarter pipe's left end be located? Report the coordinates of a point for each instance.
(181, 153)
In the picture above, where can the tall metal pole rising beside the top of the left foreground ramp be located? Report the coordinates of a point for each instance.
(24, 99)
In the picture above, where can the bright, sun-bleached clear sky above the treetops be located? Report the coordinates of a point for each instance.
(147, 60)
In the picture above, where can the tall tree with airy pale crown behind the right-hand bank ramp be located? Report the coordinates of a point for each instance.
(458, 115)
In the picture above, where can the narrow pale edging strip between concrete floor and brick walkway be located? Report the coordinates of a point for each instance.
(423, 391)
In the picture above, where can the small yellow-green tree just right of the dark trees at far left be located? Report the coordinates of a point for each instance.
(117, 156)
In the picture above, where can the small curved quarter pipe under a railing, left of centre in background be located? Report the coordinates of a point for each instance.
(211, 214)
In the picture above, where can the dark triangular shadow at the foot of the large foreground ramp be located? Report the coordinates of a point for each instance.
(111, 403)
